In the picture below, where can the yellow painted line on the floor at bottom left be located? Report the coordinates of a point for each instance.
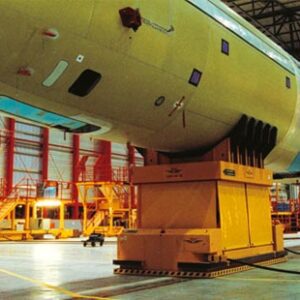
(52, 287)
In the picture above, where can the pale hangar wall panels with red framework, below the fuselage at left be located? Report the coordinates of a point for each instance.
(47, 154)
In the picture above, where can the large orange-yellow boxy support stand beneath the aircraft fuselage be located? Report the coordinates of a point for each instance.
(194, 216)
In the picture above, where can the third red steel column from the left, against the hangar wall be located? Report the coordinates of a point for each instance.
(75, 174)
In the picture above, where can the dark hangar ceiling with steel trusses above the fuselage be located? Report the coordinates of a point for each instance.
(278, 19)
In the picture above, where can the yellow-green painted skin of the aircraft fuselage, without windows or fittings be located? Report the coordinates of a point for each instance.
(138, 67)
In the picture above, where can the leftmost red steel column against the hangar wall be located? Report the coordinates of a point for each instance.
(10, 155)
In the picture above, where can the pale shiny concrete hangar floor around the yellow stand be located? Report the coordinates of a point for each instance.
(56, 270)
